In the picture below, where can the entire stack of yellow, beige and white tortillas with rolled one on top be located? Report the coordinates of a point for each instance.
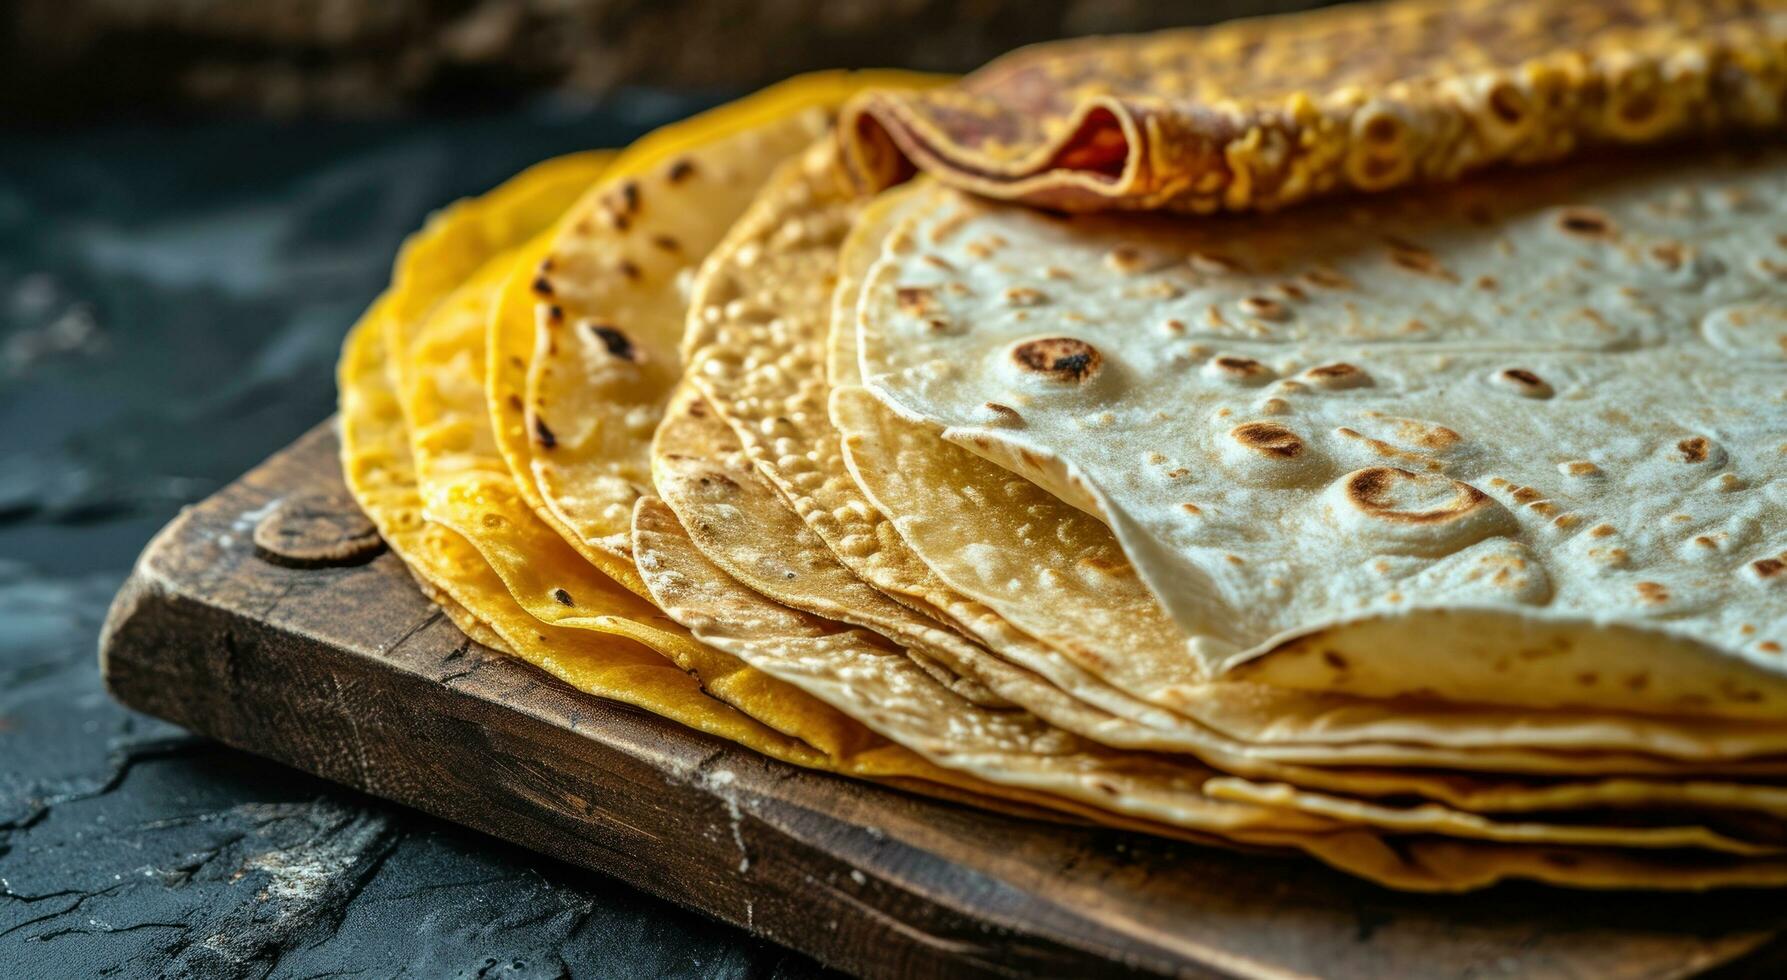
(1254, 435)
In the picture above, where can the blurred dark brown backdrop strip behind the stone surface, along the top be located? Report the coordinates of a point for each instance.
(62, 58)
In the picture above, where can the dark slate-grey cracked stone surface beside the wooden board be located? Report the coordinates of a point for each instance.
(171, 308)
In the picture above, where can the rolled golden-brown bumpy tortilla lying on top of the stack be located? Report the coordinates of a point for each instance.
(1259, 114)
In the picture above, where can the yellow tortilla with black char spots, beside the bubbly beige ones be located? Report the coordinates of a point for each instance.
(583, 344)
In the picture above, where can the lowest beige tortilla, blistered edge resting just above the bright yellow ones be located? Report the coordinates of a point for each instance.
(864, 677)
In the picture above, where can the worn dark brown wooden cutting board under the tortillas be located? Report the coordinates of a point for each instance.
(271, 620)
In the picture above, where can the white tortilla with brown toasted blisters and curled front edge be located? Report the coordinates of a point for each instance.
(1532, 425)
